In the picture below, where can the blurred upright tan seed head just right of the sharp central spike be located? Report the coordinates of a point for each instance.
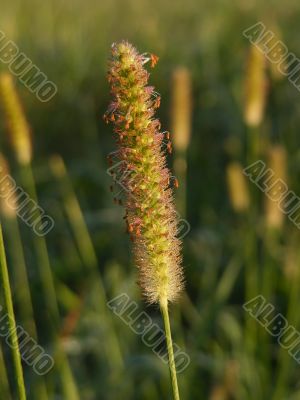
(181, 109)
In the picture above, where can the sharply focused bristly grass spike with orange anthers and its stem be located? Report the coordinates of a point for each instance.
(150, 213)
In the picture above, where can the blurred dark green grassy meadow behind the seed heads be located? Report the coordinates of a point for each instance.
(230, 254)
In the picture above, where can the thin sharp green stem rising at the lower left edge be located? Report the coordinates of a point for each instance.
(11, 321)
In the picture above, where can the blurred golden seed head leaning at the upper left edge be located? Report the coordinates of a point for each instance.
(17, 125)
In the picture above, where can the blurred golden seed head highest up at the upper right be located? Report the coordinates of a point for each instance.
(255, 87)
